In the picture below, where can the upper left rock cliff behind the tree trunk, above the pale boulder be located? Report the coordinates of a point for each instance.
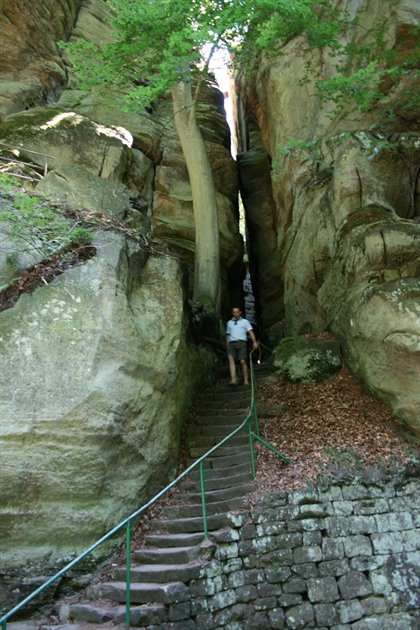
(149, 181)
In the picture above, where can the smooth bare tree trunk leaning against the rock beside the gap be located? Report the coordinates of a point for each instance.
(207, 251)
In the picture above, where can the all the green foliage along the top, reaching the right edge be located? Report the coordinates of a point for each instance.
(160, 42)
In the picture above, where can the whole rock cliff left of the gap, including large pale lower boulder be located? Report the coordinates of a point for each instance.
(98, 367)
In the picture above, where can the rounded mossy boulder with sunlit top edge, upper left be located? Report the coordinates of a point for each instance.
(90, 165)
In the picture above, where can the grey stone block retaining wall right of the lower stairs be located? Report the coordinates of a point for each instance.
(347, 556)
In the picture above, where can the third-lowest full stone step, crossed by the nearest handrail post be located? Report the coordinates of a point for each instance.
(161, 573)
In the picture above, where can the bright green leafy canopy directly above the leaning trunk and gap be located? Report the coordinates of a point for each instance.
(161, 42)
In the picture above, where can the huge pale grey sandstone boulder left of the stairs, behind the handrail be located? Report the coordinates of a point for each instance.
(96, 374)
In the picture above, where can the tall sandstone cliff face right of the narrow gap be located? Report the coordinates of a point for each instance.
(345, 221)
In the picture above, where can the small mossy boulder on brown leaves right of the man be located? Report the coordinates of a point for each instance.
(303, 360)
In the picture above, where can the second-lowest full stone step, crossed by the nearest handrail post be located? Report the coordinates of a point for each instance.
(140, 592)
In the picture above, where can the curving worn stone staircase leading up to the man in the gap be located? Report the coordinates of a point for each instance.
(174, 551)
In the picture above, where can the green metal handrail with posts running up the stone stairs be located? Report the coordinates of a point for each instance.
(127, 522)
